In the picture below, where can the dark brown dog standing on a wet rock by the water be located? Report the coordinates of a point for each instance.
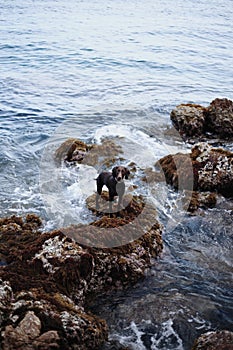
(115, 183)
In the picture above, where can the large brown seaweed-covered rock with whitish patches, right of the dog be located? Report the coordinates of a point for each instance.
(206, 169)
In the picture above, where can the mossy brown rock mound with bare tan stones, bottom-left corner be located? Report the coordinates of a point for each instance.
(51, 321)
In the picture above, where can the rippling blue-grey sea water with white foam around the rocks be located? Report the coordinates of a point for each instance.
(116, 69)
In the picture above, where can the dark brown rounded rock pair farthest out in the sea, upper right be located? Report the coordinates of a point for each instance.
(198, 122)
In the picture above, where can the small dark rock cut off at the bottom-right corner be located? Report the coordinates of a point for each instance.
(220, 340)
